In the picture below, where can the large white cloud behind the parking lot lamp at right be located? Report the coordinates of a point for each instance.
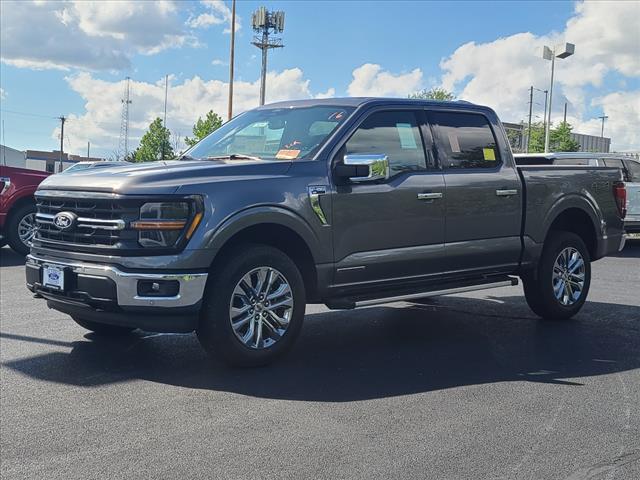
(500, 73)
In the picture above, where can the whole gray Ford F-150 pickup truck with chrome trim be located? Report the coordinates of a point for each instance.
(348, 202)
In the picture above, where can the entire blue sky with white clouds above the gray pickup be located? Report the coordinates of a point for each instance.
(483, 51)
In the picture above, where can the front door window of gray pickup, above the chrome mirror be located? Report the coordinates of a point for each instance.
(394, 134)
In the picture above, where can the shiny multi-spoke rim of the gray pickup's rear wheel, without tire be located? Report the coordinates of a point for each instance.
(568, 276)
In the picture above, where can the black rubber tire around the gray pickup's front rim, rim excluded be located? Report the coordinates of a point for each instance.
(215, 331)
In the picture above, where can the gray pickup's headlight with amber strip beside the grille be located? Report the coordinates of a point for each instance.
(163, 224)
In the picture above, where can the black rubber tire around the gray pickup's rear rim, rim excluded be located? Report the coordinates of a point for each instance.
(539, 284)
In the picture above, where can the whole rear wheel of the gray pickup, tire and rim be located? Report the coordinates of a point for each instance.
(558, 289)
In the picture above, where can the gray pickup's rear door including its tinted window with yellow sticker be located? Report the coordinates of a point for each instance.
(484, 197)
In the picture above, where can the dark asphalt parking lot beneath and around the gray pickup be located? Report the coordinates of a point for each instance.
(464, 387)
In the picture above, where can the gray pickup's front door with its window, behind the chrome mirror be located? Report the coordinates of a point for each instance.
(393, 229)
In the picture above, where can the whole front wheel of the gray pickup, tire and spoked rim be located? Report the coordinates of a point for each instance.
(253, 307)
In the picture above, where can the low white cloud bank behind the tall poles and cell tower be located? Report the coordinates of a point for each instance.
(193, 97)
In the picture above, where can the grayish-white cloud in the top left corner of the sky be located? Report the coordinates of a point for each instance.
(90, 35)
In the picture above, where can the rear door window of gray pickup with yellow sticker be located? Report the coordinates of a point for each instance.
(464, 140)
